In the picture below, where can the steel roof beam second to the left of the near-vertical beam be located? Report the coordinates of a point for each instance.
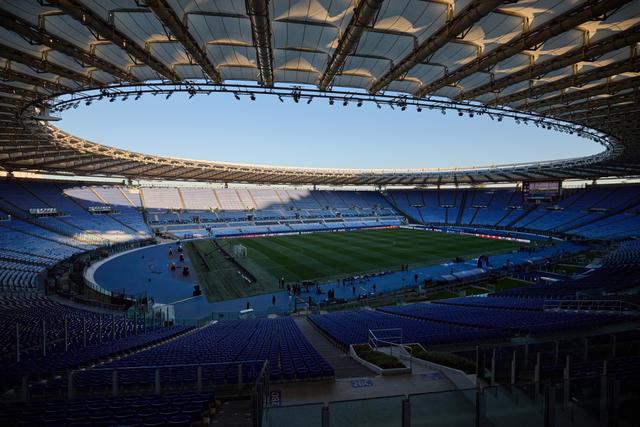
(97, 24)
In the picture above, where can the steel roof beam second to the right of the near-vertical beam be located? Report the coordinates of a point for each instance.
(462, 20)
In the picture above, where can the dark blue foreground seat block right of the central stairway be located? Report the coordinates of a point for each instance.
(456, 322)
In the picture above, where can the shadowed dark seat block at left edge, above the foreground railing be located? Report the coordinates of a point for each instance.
(48, 336)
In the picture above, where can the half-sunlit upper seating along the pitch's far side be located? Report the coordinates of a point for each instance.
(262, 210)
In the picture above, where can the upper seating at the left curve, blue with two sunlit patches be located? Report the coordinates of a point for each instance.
(44, 223)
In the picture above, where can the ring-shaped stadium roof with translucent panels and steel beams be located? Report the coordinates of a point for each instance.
(550, 62)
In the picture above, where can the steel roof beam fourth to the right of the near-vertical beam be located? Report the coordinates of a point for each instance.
(589, 53)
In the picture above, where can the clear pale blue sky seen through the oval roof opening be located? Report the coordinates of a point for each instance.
(266, 131)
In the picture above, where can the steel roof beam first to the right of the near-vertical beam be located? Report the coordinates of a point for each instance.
(363, 16)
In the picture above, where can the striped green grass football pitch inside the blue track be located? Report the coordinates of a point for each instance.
(327, 256)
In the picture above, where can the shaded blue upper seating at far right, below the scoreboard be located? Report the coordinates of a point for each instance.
(601, 212)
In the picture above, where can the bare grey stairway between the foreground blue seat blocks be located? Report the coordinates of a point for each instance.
(343, 365)
